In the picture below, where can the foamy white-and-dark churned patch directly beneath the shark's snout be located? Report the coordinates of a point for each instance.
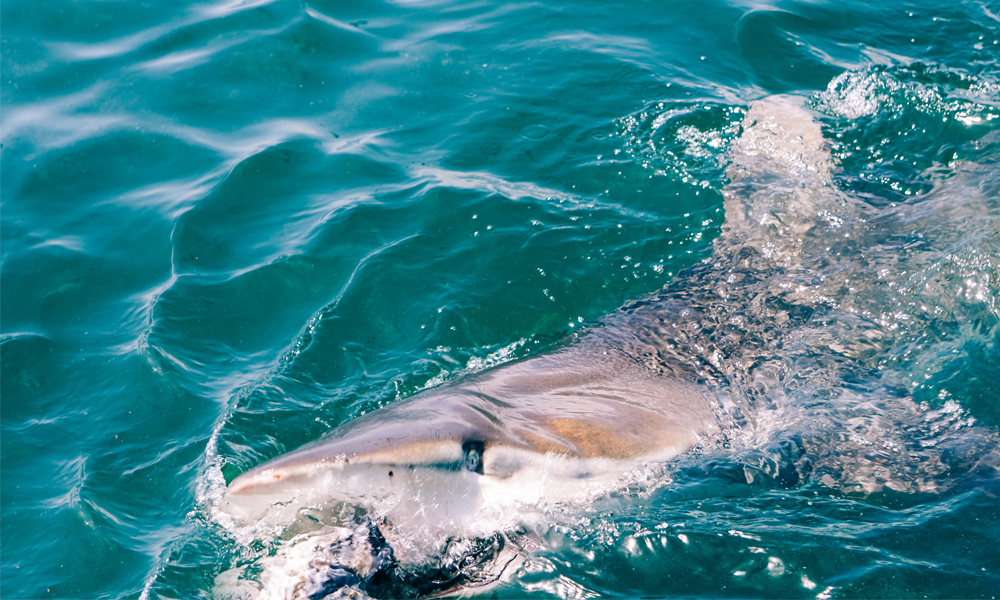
(357, 560)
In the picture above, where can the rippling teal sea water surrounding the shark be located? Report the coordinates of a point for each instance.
(228, 227)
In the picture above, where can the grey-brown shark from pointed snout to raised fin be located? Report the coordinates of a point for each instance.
(705, 361)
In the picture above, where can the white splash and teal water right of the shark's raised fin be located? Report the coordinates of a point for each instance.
(884, 117)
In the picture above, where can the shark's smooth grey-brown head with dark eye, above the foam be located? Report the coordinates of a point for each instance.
(466, 459)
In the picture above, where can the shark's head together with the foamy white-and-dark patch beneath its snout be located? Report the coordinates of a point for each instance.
(449, 476)
